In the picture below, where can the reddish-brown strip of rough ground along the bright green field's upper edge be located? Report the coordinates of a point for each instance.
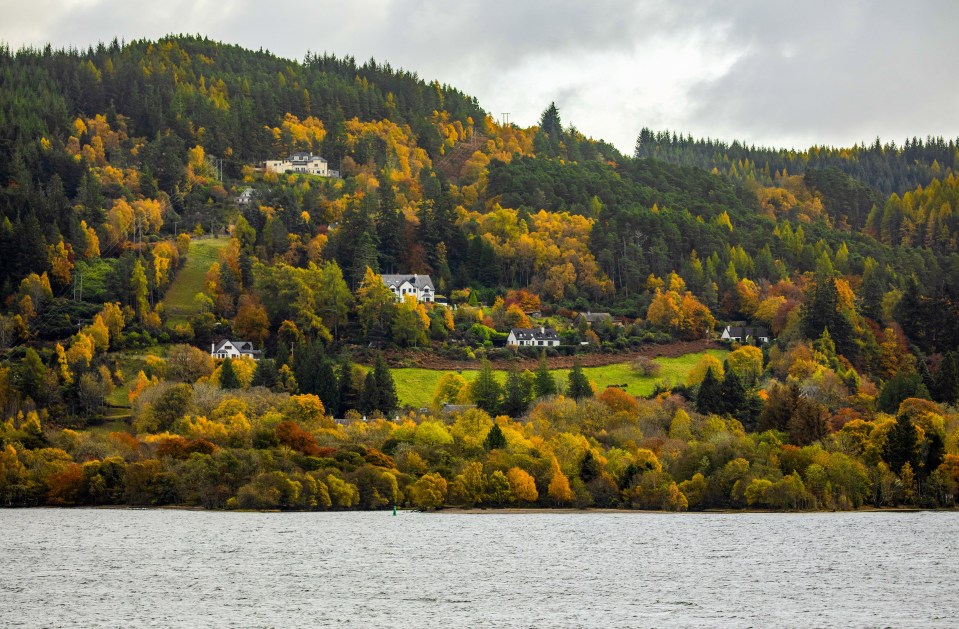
(669, 350)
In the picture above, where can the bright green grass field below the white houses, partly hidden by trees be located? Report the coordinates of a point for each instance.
(415, 386)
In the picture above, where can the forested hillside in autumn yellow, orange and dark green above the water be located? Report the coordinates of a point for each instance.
(138, 227)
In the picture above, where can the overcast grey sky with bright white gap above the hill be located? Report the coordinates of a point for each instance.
(766, 72)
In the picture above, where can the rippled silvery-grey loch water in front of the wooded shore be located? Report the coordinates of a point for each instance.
(176, 568)
